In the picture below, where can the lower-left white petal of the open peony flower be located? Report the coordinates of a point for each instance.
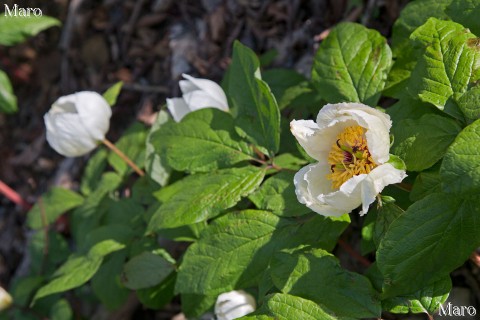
(310, 184)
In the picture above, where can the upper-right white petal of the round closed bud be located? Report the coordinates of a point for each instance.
(94, 112)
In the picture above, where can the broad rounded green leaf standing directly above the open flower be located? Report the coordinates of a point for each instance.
(352, 64)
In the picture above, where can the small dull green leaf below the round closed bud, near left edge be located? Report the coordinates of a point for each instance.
(51, 205)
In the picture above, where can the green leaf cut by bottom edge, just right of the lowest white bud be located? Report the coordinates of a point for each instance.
(286, 307)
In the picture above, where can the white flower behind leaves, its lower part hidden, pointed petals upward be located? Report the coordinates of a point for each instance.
(197, 94)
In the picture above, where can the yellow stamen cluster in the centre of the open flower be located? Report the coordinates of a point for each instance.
(349, 156)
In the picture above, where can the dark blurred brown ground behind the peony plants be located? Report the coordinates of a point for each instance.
(147, 44)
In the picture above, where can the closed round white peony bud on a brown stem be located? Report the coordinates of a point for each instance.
(77, 123)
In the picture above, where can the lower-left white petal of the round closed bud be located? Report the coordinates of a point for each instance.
(67, 135)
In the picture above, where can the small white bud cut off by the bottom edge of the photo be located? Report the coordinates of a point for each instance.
(234, 305)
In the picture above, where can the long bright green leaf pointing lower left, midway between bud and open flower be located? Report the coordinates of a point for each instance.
(200, 197)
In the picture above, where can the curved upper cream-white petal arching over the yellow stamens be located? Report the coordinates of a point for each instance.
(377, 123)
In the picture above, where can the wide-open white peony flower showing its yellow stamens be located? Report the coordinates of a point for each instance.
(351, 143)
